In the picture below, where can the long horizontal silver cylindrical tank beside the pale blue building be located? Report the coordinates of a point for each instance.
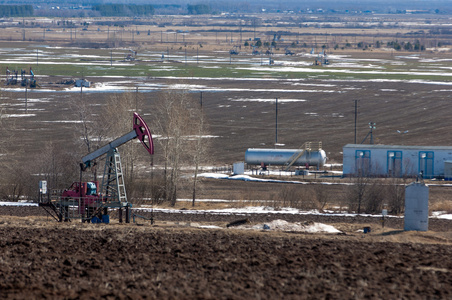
(280, 157)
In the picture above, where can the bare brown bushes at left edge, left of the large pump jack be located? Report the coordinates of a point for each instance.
(22, 165)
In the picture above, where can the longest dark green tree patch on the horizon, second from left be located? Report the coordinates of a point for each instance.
(123, 10)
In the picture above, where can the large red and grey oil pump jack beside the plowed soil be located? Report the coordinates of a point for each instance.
(84, 200)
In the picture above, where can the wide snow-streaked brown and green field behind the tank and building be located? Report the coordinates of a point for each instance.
(315, 103)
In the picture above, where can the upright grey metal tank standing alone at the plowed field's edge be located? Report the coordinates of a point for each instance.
(416, 207)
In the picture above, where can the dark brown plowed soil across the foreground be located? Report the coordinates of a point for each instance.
(42, 259)
